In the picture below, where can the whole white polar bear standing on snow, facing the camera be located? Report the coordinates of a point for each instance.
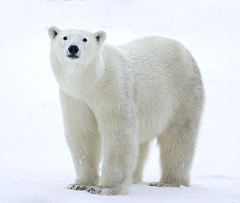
(117, 99)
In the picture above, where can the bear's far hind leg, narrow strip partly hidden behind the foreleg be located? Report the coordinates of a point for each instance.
(143, 152)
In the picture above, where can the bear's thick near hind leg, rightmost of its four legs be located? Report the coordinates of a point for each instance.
(177, 146)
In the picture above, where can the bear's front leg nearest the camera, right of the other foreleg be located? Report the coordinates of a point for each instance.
(119, 131)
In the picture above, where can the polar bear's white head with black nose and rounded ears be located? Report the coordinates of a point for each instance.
(75, 46)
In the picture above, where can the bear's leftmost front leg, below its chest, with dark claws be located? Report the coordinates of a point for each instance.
(83, 140)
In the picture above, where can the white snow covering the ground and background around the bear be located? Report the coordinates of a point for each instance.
(35, 163)
